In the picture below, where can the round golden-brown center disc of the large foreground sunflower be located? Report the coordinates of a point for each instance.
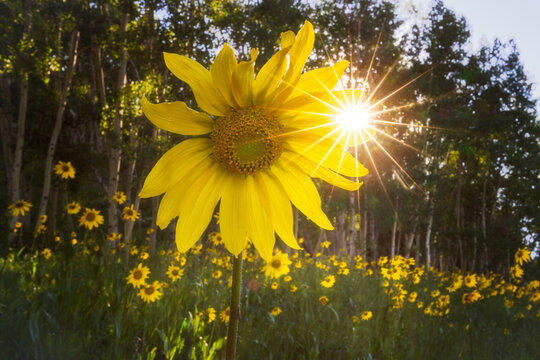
(246, 141)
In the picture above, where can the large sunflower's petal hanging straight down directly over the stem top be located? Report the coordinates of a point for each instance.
(232, 213)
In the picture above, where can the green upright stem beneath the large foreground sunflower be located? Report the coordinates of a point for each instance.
(234, 312)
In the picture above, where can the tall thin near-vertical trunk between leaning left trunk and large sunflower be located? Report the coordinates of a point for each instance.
(115, 141)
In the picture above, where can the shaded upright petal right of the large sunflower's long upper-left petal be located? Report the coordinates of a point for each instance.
(221, 71)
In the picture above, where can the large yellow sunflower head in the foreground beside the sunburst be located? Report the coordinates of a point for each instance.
(256, 146)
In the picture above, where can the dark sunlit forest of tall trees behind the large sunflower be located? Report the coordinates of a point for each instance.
(461, 193)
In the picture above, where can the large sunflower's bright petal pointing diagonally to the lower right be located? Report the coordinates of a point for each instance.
(302, 192)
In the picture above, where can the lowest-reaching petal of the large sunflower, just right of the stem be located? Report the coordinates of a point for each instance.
(260, 229)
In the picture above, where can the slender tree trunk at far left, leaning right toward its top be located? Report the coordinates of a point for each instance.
(72, 60)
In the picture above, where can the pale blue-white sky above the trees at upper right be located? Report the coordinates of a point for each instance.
(502, 19)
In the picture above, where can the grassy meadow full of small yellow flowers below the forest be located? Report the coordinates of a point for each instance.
(100, 297)
